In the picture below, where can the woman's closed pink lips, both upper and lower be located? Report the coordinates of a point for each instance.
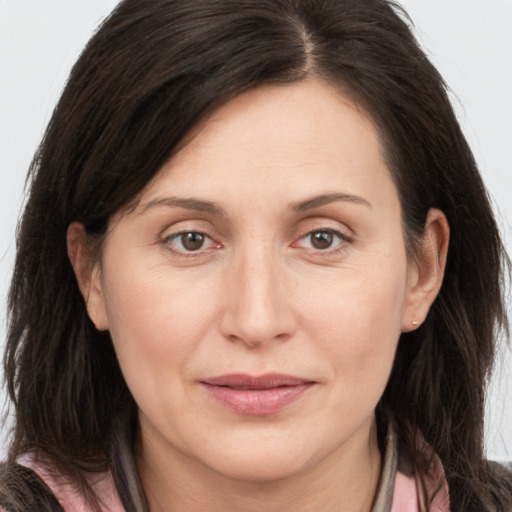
(256, 396)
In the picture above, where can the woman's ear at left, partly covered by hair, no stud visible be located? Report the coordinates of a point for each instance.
(88, 274)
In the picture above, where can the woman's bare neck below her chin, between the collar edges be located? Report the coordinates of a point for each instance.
(345, 480)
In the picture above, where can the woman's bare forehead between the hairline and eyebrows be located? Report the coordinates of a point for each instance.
(296, 139)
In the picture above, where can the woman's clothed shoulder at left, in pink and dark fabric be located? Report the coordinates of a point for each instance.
(31, 480)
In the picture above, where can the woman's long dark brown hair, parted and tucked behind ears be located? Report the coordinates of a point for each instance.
(151, 72)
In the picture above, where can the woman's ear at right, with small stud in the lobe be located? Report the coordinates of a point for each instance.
(426, 270)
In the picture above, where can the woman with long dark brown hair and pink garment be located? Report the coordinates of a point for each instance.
(268, 248)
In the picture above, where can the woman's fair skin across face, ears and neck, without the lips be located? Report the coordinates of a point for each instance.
(259, 297)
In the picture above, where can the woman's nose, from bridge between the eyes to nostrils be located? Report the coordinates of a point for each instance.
(258, 306)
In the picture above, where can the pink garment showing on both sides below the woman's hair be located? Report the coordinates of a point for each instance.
(406, 497)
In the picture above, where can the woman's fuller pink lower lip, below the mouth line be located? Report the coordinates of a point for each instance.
(257, 402)
